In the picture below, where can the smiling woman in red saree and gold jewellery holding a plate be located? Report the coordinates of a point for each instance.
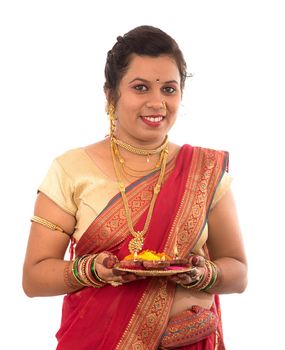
(129, 193)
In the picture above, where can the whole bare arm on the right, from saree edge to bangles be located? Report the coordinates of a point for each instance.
(226, 247)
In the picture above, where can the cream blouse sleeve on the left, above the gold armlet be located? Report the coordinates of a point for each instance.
(59, 187)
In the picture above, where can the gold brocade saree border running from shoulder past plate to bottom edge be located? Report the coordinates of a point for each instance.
(206, 170)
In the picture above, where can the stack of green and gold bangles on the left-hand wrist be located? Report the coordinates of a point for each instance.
(84, 271)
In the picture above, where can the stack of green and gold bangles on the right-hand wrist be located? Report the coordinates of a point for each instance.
(207, 280)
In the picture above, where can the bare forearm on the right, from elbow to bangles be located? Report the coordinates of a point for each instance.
(232, 276)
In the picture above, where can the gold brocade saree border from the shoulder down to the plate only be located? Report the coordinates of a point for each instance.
(206, 171)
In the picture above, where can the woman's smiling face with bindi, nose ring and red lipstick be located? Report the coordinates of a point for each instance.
(149, 85)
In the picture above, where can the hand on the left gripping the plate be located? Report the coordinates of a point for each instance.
(105, 262)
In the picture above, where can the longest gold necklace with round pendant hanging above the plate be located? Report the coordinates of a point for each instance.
(136, 243)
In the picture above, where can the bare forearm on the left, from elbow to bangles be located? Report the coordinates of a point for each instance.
(49, 277)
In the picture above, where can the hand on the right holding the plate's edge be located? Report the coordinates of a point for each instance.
(198, 263)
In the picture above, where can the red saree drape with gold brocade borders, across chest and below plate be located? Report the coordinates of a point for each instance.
(134, 315)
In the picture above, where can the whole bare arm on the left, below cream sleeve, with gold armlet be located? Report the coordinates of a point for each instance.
(44, 272)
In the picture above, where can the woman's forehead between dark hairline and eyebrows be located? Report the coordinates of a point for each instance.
(150, 68)
